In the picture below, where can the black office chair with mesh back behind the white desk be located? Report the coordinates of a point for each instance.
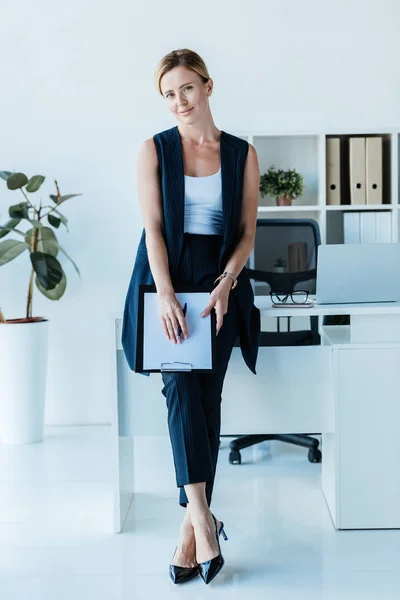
(285, 257)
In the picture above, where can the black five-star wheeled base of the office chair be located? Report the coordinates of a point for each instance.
(298, 439)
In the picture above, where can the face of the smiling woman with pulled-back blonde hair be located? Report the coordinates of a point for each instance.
(183, 91)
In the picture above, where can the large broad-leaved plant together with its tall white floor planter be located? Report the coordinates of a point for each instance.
(24, 340)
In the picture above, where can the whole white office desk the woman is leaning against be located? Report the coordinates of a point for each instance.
(348, 389)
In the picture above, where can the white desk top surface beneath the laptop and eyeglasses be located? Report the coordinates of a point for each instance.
(368, 308)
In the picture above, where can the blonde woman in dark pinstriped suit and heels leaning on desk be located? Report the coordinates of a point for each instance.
(198, 194)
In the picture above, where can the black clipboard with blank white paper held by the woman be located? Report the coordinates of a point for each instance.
(155, 353)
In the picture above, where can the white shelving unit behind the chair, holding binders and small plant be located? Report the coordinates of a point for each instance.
(306, 152)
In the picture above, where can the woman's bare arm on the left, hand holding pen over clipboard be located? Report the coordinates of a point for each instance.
(150, 202)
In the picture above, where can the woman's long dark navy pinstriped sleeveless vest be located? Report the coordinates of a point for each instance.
(171, 171)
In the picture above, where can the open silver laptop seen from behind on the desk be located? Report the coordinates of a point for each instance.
(349, 273)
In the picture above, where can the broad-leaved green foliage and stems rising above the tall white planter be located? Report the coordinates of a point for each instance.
(39, 239)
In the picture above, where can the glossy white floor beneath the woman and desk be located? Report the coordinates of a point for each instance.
(56, 521)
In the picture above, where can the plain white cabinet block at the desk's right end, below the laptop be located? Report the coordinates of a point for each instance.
(360, 474)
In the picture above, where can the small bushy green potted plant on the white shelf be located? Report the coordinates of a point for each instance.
(283, 185)
